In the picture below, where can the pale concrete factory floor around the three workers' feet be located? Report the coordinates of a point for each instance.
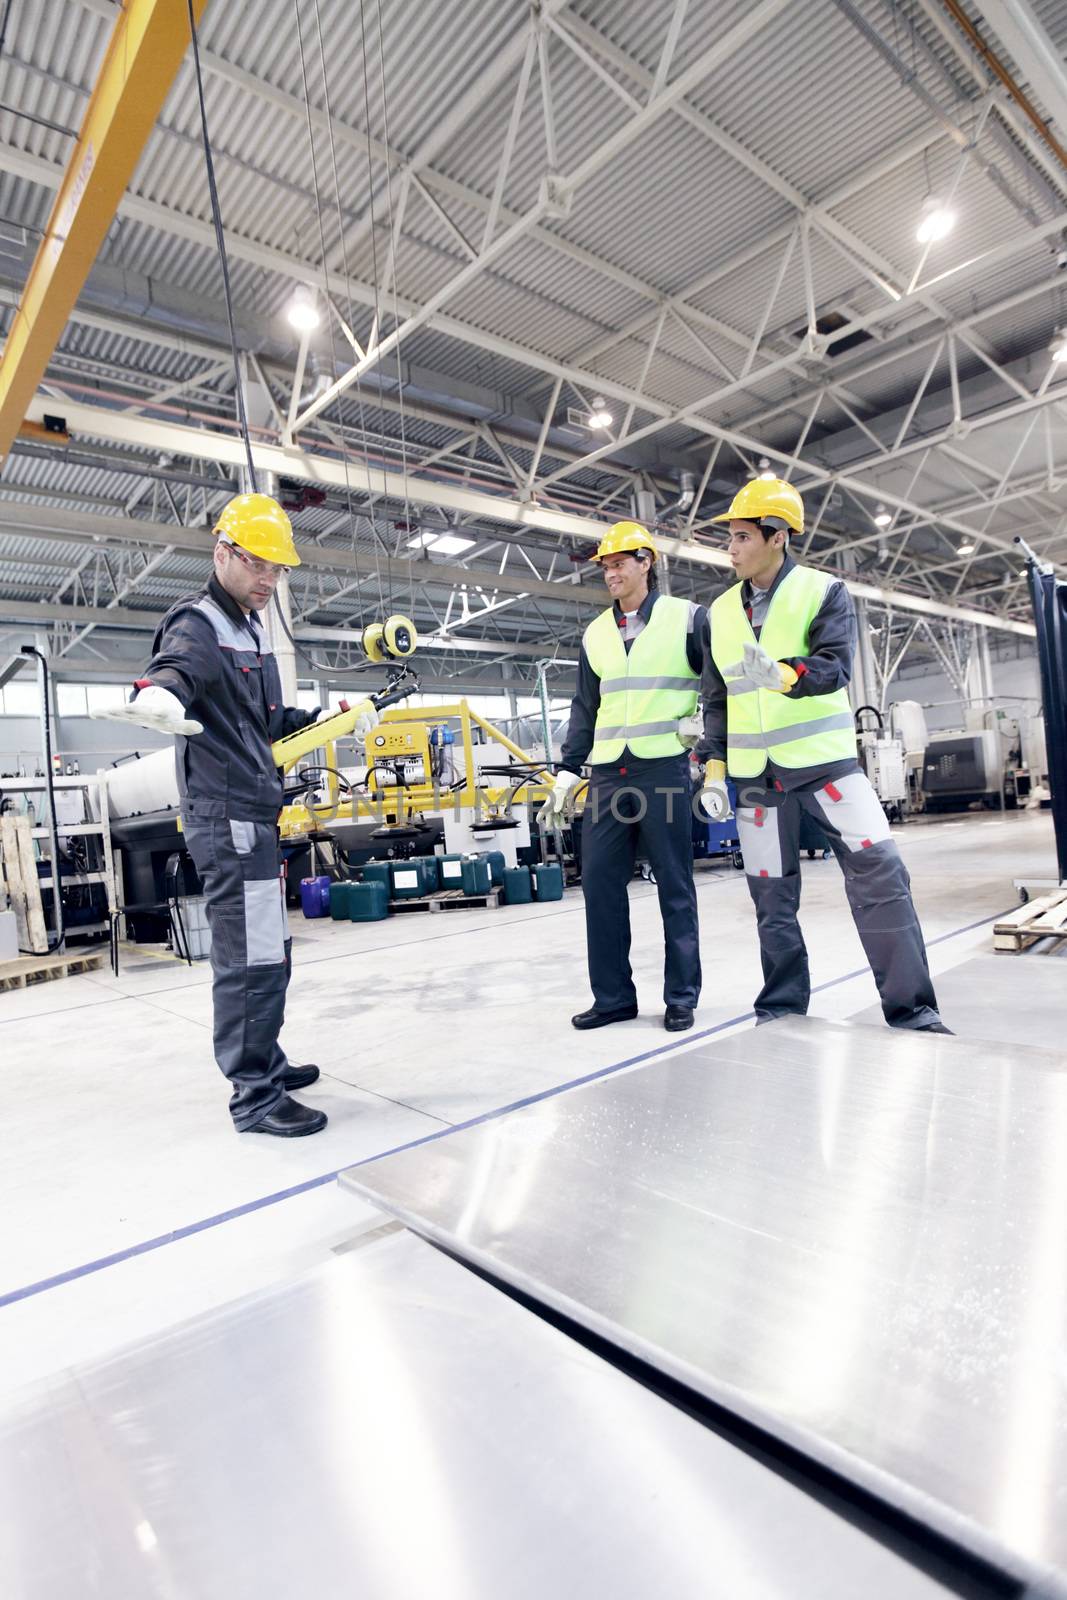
(129, 1202)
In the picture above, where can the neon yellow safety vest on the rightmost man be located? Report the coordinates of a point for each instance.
(762, 724)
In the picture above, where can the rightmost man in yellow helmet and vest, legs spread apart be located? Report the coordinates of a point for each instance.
(780, 722)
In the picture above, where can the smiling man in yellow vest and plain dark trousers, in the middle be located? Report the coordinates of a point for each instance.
(637, 682)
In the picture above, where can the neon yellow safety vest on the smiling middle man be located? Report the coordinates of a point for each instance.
(645, 692)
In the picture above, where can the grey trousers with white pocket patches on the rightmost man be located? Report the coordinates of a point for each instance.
(876, 882)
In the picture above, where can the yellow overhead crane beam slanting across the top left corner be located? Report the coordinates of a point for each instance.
(143, 58)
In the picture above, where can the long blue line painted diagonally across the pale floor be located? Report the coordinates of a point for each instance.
(87, 1270)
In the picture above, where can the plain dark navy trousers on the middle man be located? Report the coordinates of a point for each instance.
(628, 812)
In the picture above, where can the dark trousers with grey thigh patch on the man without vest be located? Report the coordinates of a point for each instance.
(250, 958)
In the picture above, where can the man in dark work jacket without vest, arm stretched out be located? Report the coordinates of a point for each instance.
(214, 682)
